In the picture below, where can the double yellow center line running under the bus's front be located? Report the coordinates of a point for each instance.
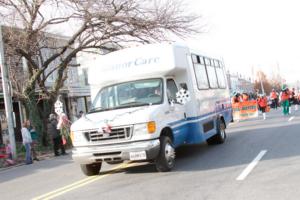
(81, 183)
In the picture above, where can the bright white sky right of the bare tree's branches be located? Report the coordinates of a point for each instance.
(258, 33)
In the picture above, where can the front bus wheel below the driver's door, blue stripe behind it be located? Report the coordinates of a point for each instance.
(166, 158)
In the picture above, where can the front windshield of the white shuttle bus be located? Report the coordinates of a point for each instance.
(129, 94)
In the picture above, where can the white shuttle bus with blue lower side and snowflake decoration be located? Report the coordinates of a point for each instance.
(149, 100)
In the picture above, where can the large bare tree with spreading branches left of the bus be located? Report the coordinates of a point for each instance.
(95, 24)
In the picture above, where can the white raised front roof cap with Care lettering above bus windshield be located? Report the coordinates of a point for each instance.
(152, 60)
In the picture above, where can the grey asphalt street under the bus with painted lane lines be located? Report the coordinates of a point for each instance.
(259, 160)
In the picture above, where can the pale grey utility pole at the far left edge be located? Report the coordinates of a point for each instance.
(7, 98)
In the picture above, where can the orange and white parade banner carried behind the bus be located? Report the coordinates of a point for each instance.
(245, 110)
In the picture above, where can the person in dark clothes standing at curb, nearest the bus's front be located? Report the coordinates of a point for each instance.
(56, 136)
